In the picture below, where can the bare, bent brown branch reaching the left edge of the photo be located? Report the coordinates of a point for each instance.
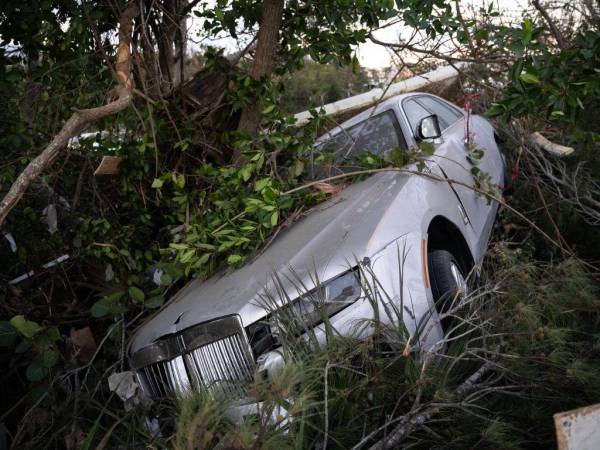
(80, 119)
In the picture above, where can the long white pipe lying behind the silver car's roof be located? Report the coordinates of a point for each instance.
(377, 94)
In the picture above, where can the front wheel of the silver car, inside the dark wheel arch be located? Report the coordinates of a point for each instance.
(448, 282)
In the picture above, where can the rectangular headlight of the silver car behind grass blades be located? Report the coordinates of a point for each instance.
(313, 307)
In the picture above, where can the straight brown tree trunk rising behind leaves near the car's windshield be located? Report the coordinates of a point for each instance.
(264, 60)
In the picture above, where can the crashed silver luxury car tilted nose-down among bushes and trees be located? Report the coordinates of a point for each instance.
(215, 334)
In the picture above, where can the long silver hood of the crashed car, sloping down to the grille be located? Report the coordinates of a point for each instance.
(330, 239)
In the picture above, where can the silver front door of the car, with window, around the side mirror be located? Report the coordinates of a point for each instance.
(451, 155)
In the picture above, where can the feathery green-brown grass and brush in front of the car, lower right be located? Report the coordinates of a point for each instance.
(524, 345)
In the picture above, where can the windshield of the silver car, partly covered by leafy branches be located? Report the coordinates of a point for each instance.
(377, 135)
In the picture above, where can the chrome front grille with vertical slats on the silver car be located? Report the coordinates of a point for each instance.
(214, 356)
